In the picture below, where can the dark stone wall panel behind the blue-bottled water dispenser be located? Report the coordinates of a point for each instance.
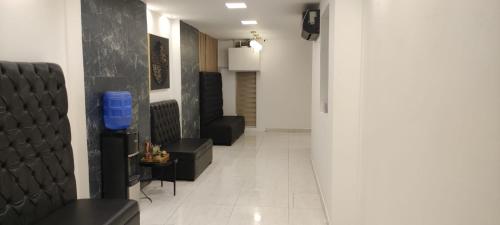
(115, 59)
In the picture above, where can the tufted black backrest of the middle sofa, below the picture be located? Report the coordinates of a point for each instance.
(165, 122)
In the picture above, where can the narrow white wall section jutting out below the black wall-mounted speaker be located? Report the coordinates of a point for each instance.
(335, 136)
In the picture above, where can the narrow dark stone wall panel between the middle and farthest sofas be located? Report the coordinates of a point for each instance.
(190, 81)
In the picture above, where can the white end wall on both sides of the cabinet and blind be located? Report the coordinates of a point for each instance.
(283, 84)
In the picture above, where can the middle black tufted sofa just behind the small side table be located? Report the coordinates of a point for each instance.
(194, 155)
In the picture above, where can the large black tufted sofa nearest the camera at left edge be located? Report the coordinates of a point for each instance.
(37, 182)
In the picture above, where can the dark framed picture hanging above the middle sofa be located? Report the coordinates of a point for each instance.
(159, 62)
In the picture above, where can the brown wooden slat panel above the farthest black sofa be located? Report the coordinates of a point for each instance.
(208, 53)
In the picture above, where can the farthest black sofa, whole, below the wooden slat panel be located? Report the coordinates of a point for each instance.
(223, 130)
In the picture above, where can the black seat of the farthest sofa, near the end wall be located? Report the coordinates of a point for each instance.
(225, 130)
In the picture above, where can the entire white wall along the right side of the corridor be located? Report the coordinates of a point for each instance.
(415, 113)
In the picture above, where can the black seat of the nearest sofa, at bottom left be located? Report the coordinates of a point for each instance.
(104, 211)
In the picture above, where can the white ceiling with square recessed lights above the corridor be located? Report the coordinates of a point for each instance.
(278, 19)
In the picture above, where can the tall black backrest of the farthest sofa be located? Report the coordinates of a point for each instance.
(210, 97)
